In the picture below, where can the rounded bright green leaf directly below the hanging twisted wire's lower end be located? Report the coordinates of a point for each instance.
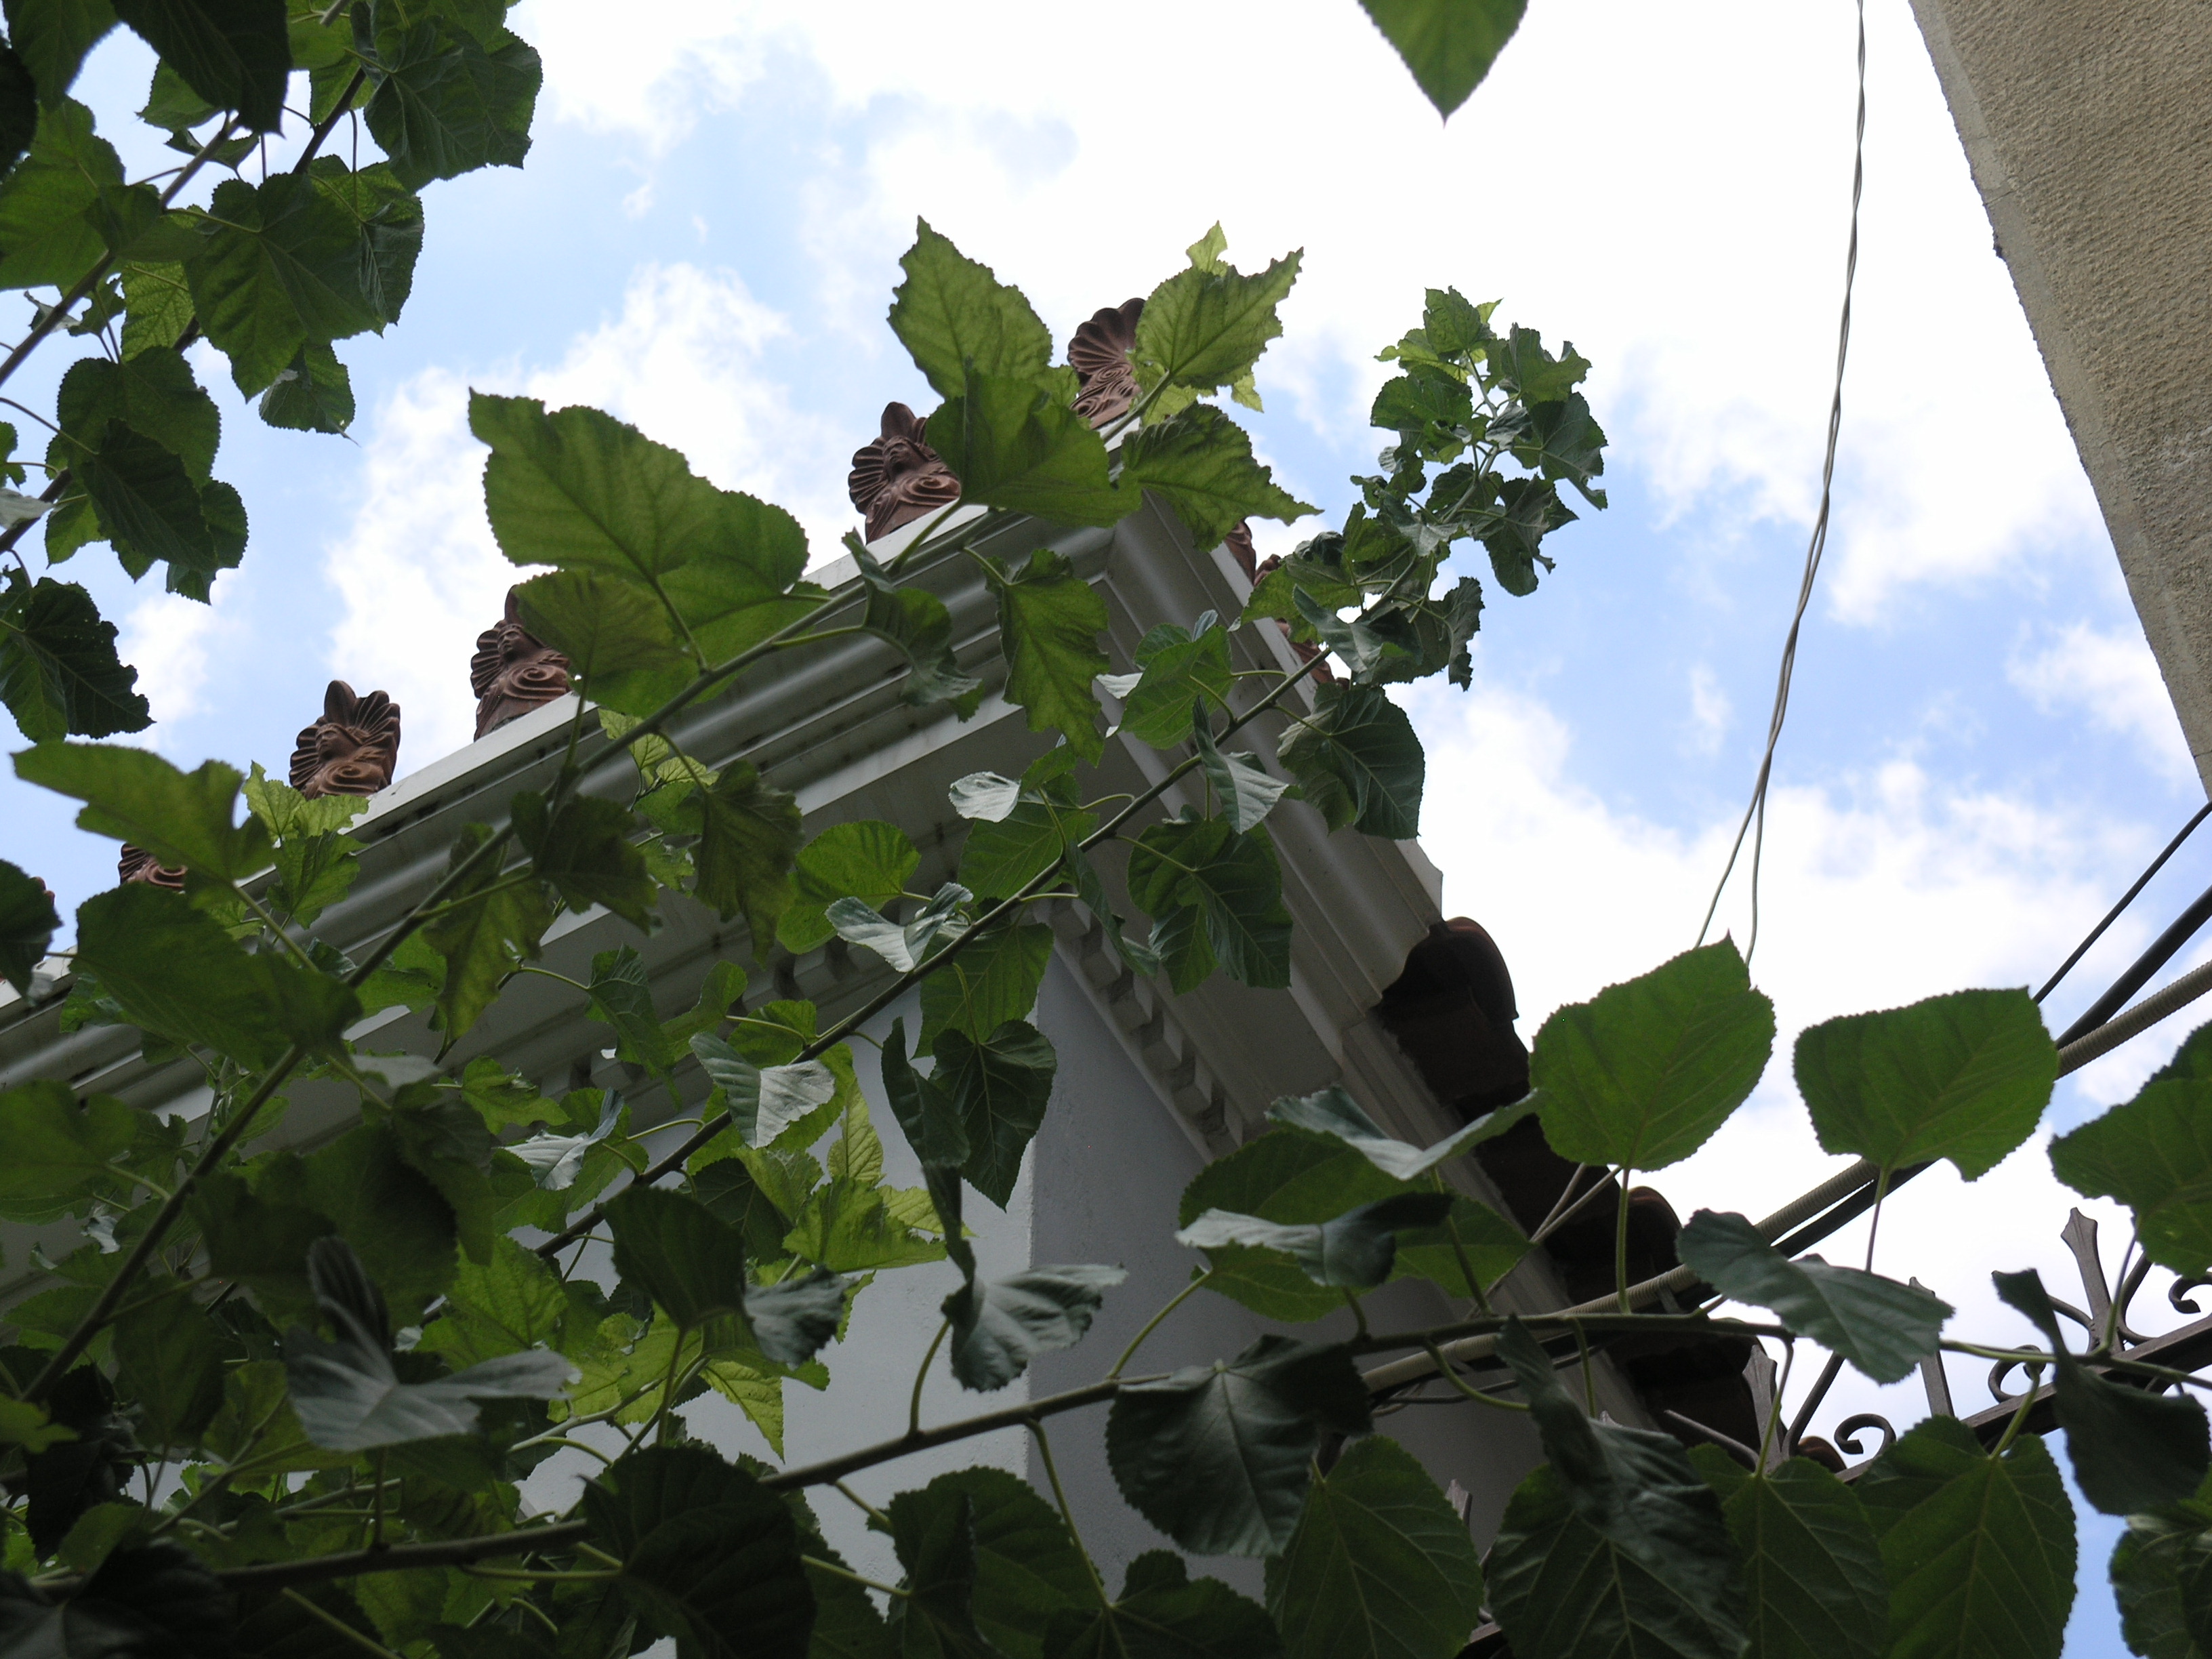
(1647, 1072)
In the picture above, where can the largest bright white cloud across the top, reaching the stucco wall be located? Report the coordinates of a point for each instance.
(1698, 269)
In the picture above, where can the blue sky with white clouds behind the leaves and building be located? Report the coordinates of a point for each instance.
(705, 240)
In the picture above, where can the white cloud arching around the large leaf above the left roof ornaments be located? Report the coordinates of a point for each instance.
(419, 572)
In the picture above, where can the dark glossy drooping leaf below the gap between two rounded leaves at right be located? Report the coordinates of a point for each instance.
(1877, 1324)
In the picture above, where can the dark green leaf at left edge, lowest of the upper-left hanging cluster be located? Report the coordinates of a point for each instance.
(59, 667)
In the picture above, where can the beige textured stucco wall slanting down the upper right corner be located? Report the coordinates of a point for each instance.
(2089, 129)
